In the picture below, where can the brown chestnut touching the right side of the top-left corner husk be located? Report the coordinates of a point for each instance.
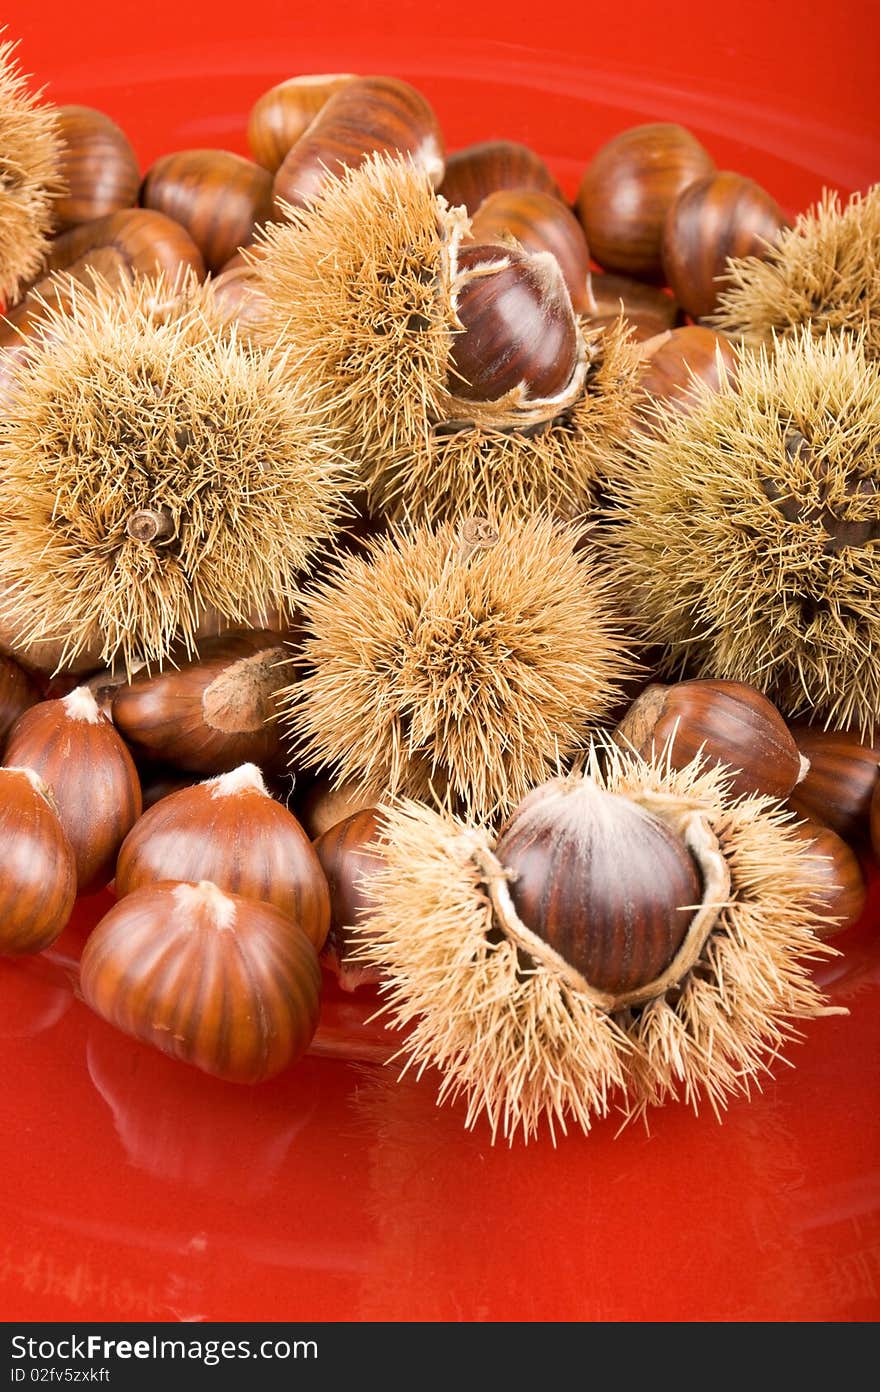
(100, 169)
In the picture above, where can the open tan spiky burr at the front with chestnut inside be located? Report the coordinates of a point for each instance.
(520, 1031)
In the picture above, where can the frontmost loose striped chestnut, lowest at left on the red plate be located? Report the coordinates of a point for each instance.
(225, 983)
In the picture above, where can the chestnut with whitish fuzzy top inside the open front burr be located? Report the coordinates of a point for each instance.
(611, 887)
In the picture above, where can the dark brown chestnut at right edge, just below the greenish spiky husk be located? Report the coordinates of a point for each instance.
(844, 772)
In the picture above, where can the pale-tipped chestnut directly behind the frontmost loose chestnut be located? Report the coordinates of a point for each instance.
(230, 832)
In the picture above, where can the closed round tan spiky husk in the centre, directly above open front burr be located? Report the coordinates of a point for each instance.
(430, 670)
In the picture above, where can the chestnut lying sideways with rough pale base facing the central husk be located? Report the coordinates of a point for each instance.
(214, 712)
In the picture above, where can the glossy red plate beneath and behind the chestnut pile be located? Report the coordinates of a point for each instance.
(139, 1189)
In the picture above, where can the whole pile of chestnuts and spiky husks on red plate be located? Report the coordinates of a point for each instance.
(487, 364)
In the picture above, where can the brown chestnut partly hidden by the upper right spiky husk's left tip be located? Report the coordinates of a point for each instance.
(715, 218)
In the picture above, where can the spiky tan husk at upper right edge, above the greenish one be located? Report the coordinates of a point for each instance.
(825, 274)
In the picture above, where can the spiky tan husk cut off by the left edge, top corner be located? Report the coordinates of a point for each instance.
(30, 164)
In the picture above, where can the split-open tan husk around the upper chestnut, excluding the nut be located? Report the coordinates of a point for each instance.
(366, 285)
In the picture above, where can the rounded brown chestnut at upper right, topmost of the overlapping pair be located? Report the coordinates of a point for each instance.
(629, 189)
